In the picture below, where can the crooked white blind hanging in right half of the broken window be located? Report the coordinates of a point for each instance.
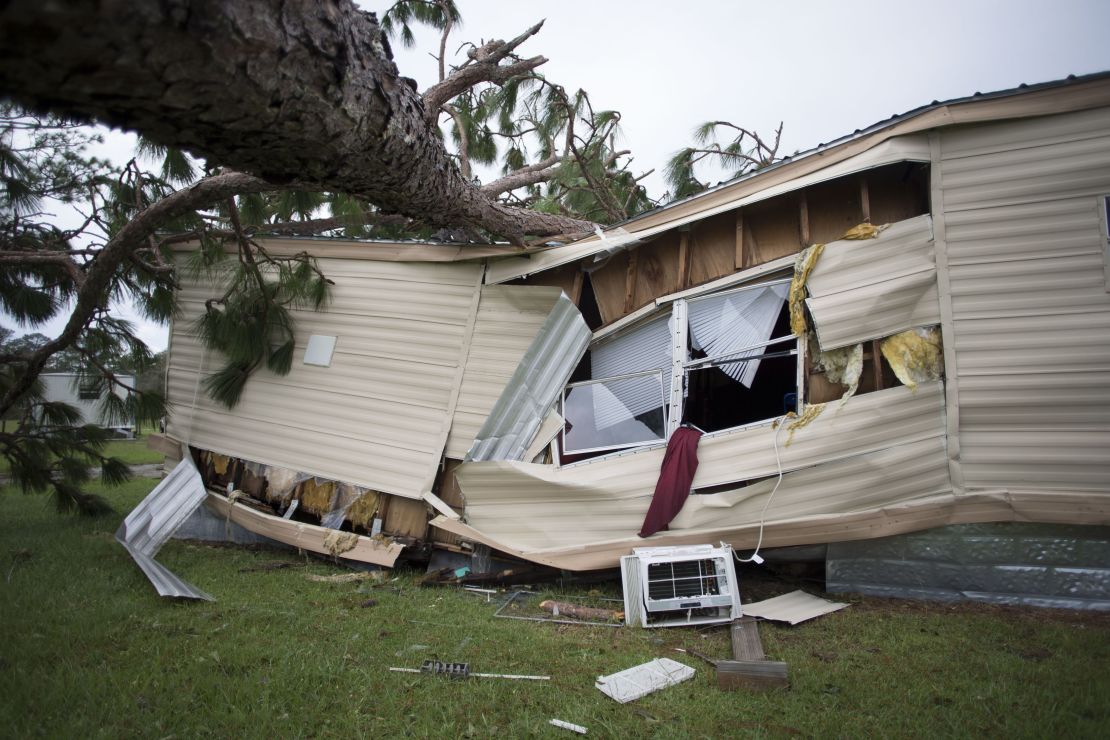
(722, 325)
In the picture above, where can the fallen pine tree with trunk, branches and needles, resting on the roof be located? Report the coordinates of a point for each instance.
(297, 121)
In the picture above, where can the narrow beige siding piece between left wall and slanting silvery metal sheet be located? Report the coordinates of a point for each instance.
(508, 322)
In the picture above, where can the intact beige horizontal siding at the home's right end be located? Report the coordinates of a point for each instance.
(1031, 311)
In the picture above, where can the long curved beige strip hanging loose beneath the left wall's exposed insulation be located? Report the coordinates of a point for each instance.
(311, 538)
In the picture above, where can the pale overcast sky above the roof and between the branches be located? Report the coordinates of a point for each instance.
(824, 69)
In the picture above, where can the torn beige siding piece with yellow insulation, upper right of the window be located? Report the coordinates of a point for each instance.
(871, 289)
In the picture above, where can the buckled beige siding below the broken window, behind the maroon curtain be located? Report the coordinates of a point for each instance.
(537, 506)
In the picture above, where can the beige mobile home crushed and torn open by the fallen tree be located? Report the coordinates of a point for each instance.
(900, 331)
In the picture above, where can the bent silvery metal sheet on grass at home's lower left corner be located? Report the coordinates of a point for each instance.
(155, 521)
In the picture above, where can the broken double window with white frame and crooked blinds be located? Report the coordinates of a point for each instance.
(717, 362)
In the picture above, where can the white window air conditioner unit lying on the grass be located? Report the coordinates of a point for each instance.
(677, 586)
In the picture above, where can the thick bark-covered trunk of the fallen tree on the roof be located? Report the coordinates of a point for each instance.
(301, 94)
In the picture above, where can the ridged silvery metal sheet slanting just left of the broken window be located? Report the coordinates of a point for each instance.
(538, 382)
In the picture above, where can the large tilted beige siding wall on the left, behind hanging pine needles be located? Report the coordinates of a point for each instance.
(379, 415)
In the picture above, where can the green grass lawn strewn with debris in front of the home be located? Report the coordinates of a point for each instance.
(90, 651)
